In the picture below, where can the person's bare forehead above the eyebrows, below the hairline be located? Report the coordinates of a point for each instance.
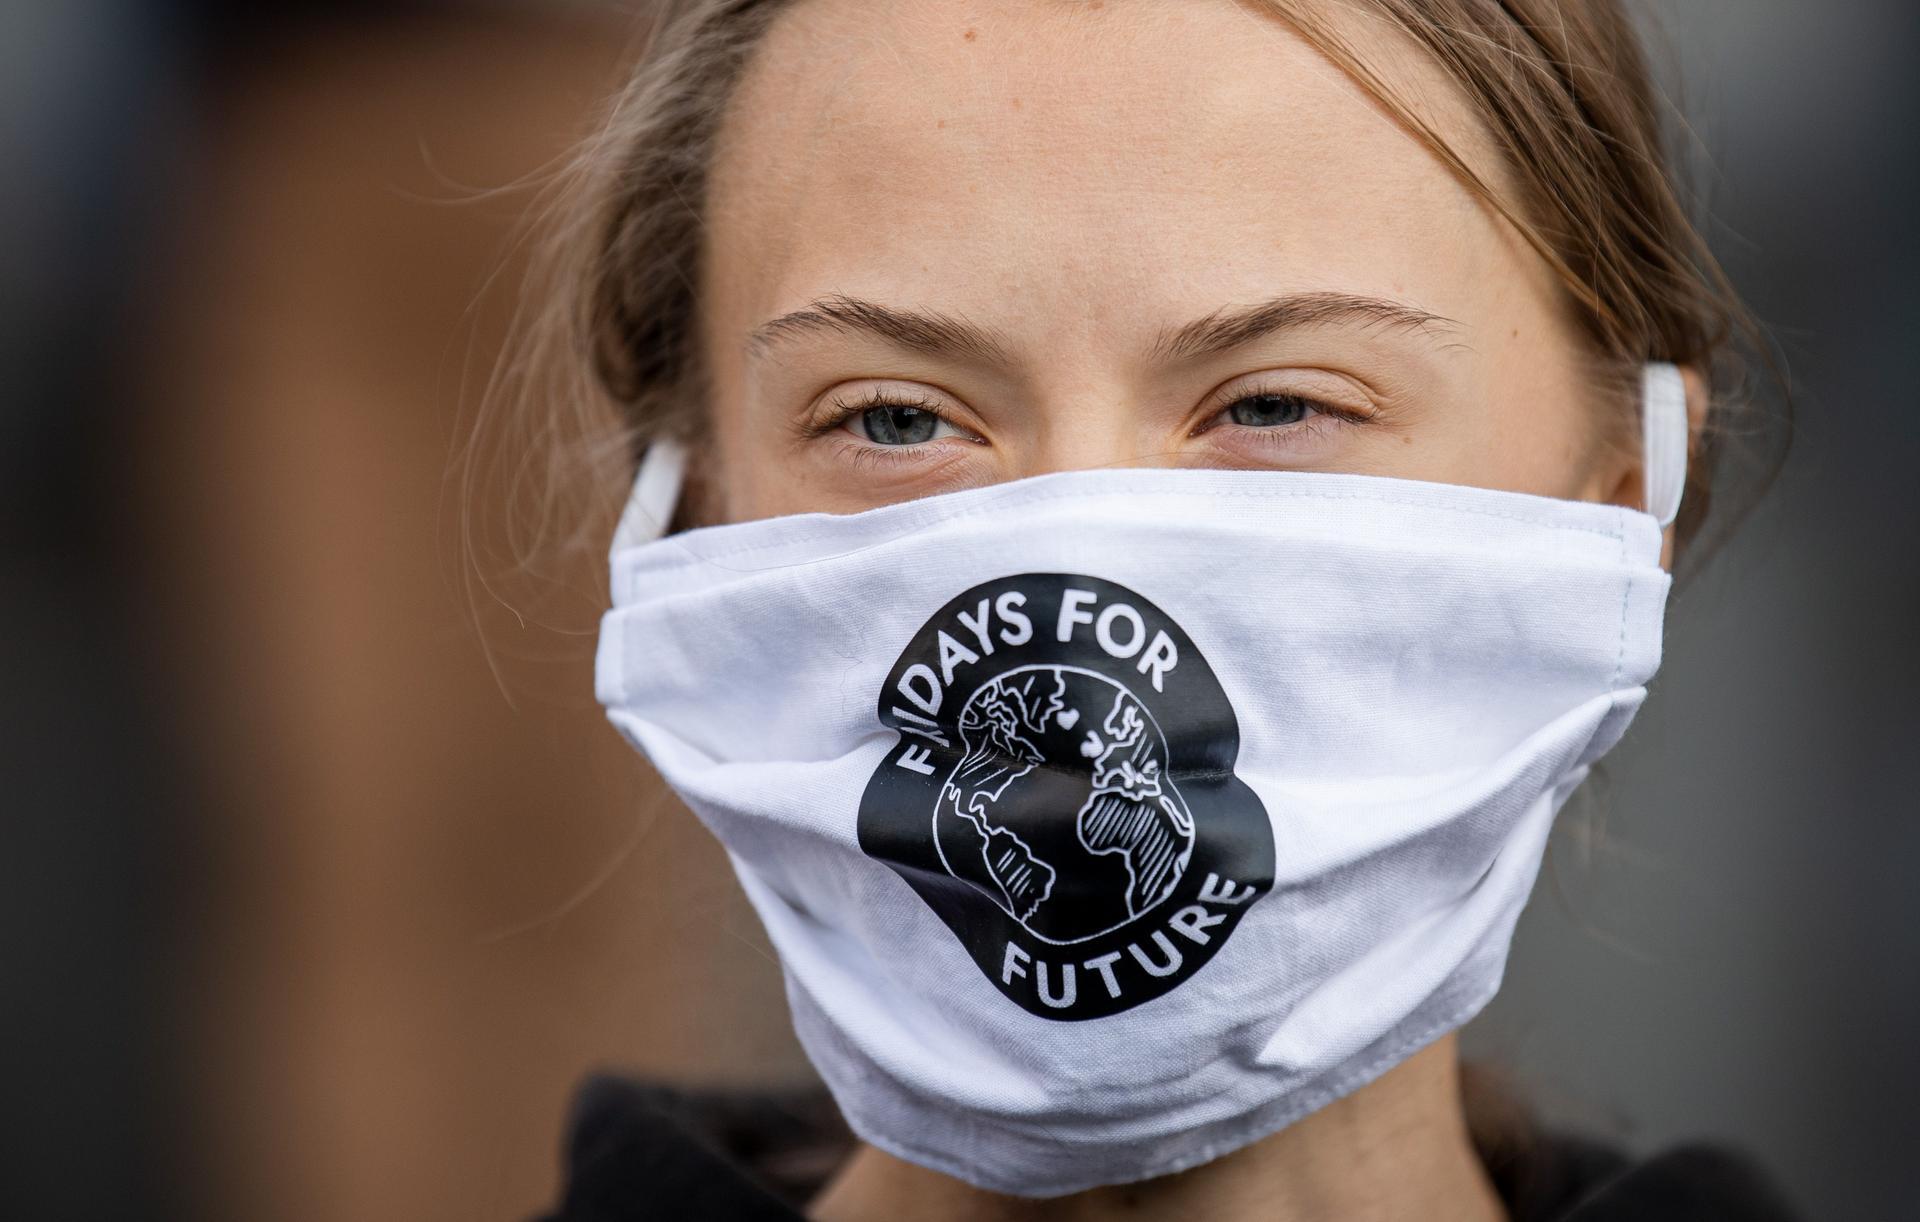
(1080, 168)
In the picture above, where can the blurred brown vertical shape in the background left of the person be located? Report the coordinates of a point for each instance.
(385, 1025)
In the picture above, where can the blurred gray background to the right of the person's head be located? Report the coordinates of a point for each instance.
(1739, 954)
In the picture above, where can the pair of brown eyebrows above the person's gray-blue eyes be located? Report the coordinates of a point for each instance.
(1230, 328)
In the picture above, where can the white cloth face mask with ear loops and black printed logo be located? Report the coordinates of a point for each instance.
(1107, 821)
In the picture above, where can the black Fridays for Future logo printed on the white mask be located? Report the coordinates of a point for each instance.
(1063, 793)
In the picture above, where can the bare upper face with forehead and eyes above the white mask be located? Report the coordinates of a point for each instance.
(969, 241)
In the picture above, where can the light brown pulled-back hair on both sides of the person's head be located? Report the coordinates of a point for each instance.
(608, 354)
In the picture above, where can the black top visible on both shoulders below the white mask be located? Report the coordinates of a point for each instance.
(640, 1152)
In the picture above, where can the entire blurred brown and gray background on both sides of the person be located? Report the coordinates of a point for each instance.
(304, 921)
